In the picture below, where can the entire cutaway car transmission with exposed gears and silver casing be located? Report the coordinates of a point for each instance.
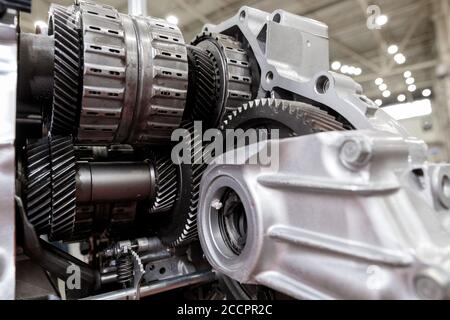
(347, 207)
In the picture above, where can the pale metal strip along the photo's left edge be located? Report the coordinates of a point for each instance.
(8, 80)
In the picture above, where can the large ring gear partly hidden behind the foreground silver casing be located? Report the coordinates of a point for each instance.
(291, 117)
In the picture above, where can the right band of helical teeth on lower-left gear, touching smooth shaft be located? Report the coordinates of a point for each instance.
(64, 188)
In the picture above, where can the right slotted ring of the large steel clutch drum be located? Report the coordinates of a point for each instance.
(164, 69)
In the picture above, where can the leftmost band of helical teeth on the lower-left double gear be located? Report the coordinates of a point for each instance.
(38, 185)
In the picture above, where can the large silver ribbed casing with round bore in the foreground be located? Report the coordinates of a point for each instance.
(377, 220)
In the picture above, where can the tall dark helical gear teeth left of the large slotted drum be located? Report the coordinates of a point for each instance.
(67, 67)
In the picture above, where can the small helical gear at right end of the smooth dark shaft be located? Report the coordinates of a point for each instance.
(167, 185)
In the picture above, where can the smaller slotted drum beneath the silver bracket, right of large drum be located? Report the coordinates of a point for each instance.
(233, 68)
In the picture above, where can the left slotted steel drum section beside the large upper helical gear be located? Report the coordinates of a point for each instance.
(106, 71)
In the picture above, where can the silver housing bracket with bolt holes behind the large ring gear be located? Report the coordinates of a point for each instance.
(292, 53)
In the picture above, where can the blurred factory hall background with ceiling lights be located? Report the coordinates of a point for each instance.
(399, 54)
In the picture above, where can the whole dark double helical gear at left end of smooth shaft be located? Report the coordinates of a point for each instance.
(51, 187)
